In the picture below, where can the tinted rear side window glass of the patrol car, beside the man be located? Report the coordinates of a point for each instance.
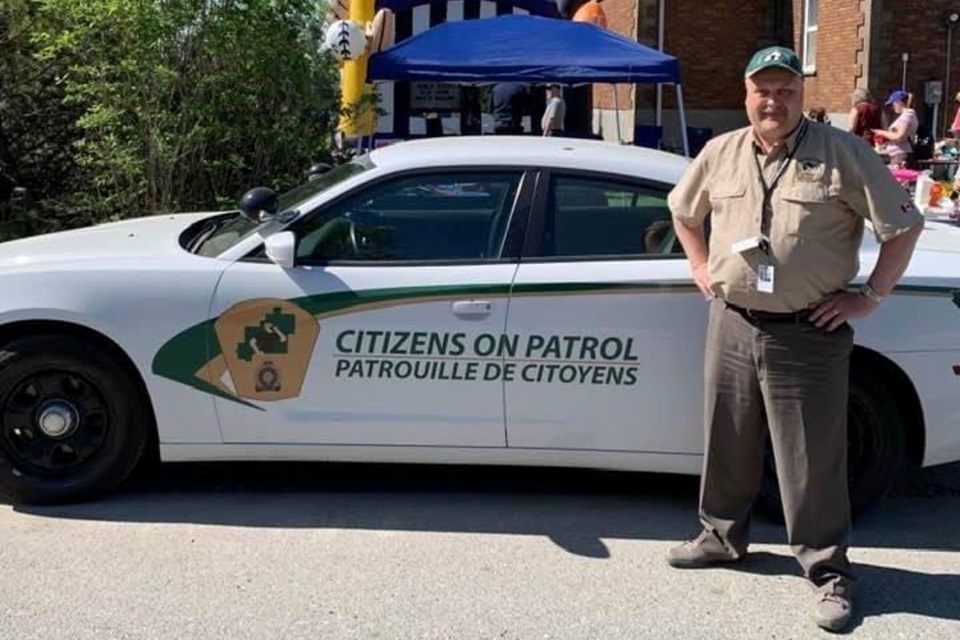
(606, 217)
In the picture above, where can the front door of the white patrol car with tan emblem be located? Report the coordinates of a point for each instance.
(381, 332)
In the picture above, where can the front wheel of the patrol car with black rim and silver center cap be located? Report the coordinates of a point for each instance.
(73, 423)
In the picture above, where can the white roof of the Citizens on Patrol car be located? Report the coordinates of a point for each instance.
(554, 152)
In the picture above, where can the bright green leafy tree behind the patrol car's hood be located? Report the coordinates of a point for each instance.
(183, 104)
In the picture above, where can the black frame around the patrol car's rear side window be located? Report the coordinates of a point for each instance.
(538, 216)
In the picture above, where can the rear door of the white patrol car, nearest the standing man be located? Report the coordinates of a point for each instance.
(610, 326)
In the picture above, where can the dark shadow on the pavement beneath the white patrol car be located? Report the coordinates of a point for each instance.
(575, 508)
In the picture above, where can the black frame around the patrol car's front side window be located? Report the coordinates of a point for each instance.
(510, 246)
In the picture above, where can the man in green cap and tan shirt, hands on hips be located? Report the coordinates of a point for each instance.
(788, 199)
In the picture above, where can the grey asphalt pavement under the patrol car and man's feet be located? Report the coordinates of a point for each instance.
(262, 551)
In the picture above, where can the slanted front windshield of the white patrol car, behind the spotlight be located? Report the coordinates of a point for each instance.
(222, 232)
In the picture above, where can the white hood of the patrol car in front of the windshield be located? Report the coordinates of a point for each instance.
(138, 237)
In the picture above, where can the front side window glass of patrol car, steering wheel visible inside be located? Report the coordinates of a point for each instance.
(435, 216)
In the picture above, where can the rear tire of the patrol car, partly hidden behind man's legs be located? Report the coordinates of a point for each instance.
(876, 446)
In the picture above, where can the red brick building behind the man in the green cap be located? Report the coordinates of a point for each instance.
(844, 44)
